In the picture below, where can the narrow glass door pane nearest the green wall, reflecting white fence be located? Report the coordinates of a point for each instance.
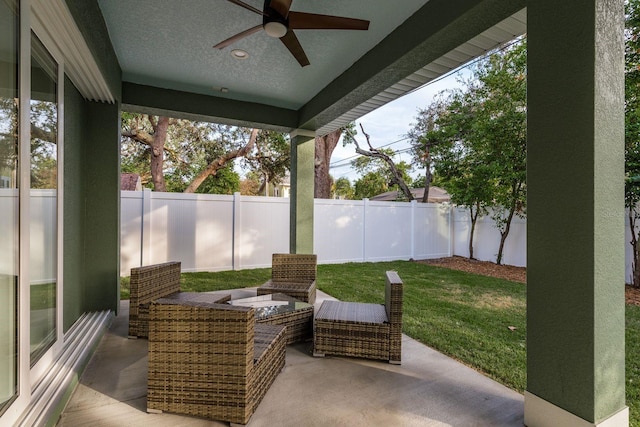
(44, 175)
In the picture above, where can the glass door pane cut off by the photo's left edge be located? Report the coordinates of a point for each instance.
(9, 31)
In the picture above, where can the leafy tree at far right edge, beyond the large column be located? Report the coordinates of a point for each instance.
(632, 129)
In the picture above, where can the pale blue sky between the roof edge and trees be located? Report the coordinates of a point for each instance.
(389, 125)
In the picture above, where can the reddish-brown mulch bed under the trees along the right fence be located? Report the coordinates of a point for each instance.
(507, 272)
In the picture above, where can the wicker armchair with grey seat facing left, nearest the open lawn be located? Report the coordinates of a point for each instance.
(370, 331)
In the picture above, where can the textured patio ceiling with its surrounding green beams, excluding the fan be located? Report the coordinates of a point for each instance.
(165, 50)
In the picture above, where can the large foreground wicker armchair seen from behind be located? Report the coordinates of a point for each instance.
(210, 360)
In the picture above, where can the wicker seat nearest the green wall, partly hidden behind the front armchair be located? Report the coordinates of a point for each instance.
(156, 281)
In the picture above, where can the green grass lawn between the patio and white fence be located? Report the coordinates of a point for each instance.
(480, 321)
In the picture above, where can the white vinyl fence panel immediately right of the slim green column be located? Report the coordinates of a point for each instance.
(338, 231)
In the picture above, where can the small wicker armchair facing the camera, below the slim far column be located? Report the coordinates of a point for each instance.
(293, 275)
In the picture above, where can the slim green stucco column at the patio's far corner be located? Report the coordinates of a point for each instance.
(302, 185)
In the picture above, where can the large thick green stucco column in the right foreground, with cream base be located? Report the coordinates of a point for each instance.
(575, 214)
